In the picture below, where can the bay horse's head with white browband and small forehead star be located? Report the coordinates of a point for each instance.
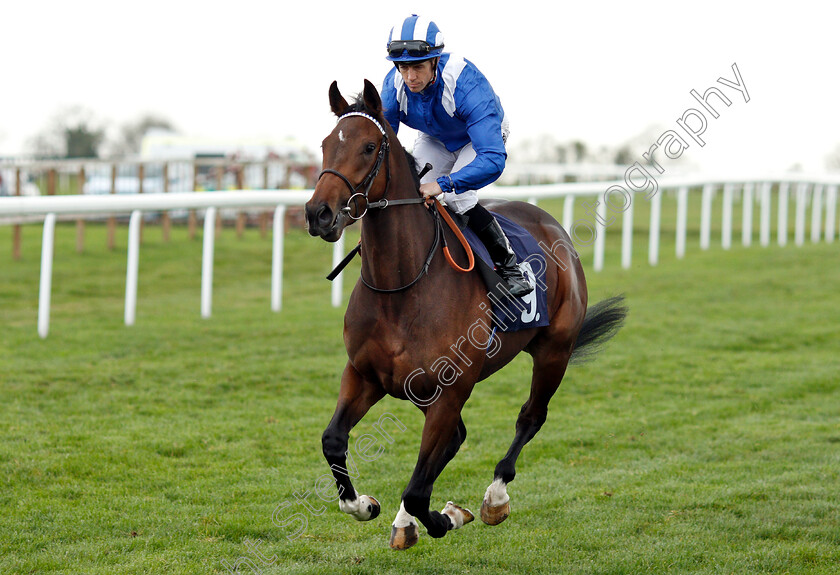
(355, 153)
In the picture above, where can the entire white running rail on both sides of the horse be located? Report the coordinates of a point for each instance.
(820, 194)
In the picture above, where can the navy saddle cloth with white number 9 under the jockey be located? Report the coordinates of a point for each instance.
(511, 313)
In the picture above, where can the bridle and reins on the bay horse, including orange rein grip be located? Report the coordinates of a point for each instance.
(434, 205)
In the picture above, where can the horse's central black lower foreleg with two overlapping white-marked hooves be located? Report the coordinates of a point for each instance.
(443, 434)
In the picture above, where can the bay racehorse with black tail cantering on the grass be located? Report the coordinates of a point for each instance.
(414, 327)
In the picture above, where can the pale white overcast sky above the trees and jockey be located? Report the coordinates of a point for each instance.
(600, 72)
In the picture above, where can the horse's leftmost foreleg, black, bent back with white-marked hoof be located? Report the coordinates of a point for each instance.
(355, 398)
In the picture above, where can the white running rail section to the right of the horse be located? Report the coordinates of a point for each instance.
(817, 193)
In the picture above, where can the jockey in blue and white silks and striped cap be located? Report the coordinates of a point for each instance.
(462, 131)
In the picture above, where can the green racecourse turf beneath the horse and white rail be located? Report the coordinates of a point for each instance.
(703, 440)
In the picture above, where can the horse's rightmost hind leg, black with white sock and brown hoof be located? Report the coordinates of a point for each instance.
(546, 378)
